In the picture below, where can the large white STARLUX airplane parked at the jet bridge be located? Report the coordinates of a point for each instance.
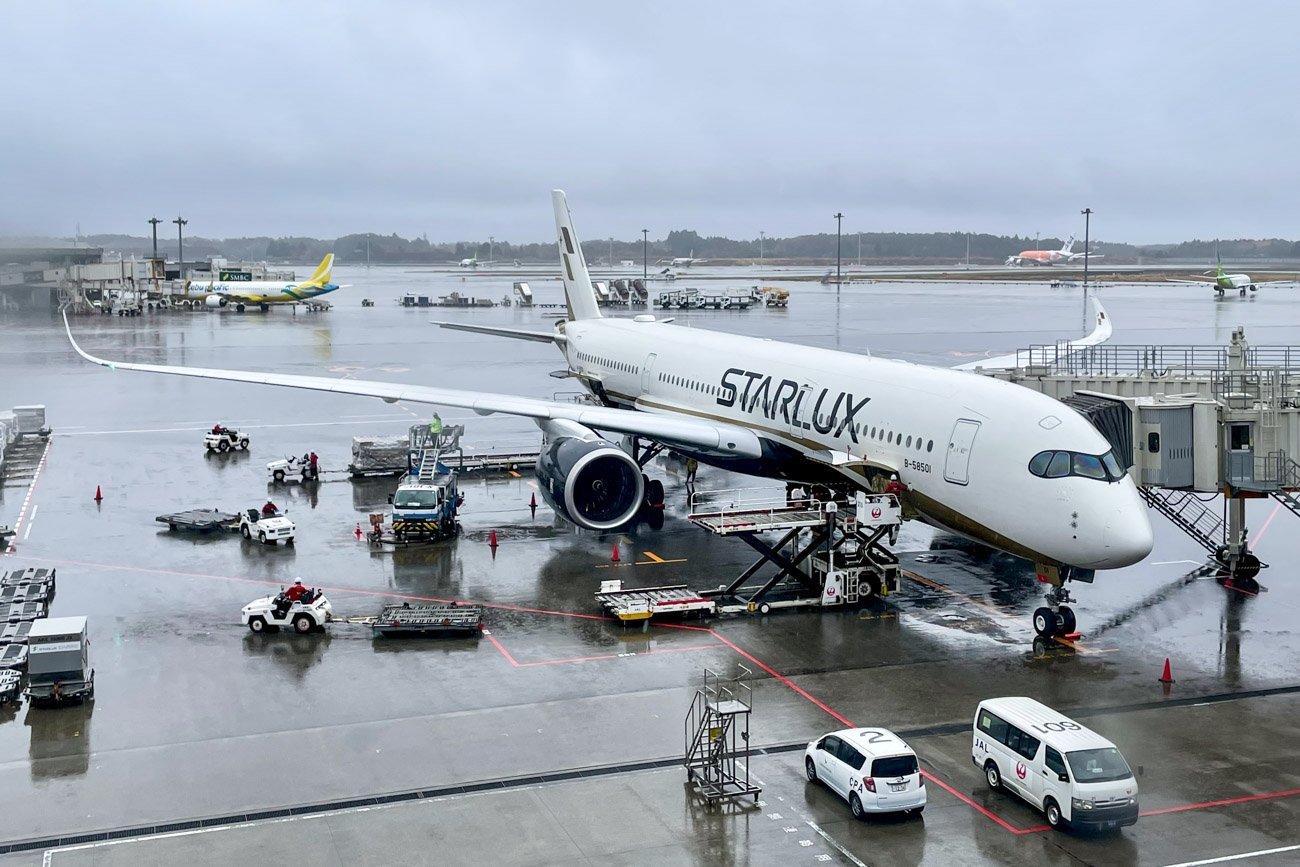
(995, 462)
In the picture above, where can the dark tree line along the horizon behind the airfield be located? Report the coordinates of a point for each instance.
(876, 248)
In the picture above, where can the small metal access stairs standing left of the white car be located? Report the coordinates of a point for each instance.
(717, 731)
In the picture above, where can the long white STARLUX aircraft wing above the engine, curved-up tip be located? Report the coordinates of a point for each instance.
(671, 428)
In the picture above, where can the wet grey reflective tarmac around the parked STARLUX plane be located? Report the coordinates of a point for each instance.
(196, 718)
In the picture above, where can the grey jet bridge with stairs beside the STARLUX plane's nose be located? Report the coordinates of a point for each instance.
(1201, 428)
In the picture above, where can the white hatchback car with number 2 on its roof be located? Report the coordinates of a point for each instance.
(873, 769)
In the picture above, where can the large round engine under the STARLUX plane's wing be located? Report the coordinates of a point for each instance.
(588, 480)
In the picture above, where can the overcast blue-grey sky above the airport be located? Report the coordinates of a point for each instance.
(1171, 120)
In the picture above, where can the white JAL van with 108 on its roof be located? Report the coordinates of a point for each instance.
(1071, 773)
